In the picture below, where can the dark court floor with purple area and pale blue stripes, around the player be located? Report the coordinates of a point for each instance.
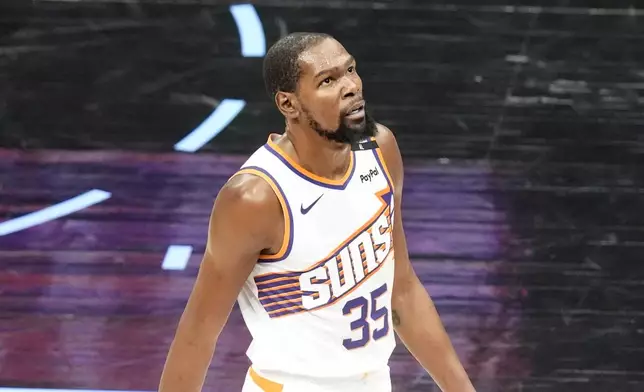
(520, 126)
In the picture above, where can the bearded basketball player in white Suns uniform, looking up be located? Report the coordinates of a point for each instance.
(308, 238)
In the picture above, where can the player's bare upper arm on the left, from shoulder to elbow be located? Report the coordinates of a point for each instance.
(242, 224)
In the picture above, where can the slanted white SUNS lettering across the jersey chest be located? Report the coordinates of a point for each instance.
(354, 263)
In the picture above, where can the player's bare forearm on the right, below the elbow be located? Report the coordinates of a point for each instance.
(418, 325)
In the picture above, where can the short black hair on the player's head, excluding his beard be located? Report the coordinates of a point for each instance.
(281, 63)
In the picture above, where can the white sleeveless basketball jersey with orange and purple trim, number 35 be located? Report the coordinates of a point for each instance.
(321, 307)
